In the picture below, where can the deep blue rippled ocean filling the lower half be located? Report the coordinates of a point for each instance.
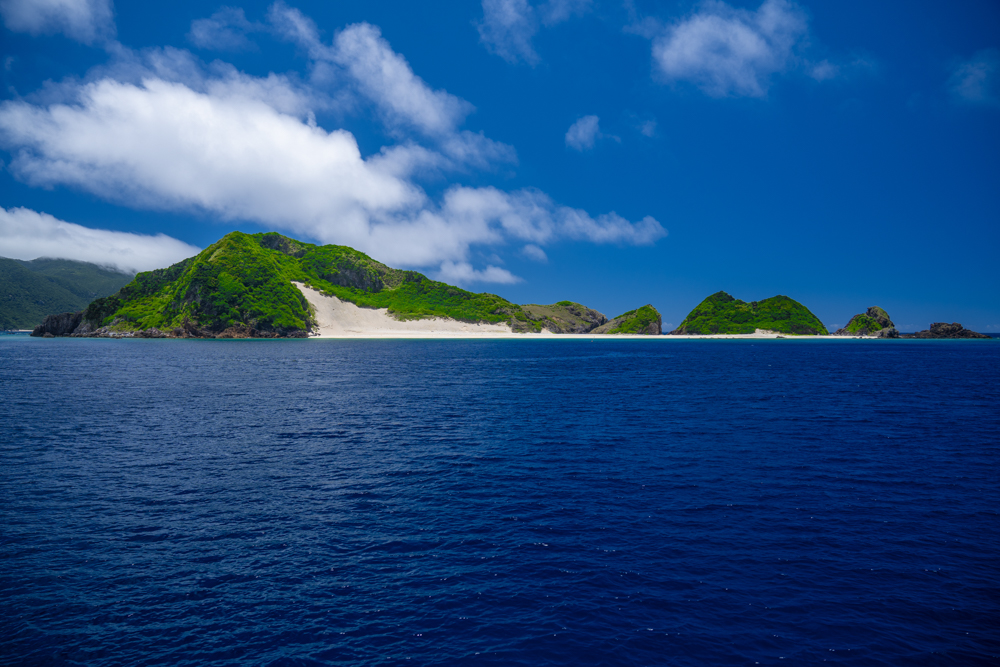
(506, 502)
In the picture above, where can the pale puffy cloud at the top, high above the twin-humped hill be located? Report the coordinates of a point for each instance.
(731, 52)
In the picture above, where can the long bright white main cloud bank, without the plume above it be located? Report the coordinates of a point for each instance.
(163, 145)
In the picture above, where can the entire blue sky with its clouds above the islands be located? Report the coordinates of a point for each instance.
(846, 154)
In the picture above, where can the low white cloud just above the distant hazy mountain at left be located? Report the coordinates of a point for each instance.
(27, 234)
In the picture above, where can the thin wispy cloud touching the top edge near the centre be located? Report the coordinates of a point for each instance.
(508, 26)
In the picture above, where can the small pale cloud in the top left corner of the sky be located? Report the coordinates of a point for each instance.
(86, 21)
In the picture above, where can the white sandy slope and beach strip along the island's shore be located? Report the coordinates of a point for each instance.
(342, 319)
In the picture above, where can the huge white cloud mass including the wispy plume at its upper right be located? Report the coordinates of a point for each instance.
(159, 130)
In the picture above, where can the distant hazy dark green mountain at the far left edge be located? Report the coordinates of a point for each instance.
(30, 290)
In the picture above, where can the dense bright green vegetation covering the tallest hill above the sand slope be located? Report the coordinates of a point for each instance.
(246, 279)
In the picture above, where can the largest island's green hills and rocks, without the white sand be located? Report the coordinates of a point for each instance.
(242, 286)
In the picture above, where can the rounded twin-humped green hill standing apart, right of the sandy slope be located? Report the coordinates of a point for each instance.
(722, 314)
